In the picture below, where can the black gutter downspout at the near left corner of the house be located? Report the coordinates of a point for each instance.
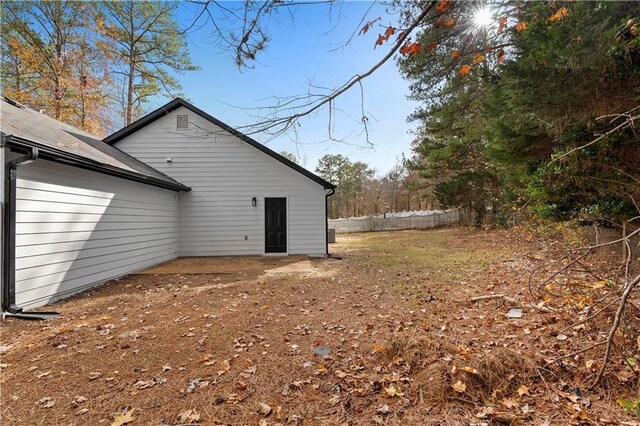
(9, 307)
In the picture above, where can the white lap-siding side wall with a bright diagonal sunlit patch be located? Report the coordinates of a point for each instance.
(78, 228)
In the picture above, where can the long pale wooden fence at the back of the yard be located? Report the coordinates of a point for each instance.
(395, 221)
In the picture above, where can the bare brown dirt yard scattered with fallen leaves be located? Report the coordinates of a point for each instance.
(385, 335)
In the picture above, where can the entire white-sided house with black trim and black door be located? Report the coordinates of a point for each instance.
(78, 211)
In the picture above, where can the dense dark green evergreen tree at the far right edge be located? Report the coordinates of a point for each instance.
(546, 101)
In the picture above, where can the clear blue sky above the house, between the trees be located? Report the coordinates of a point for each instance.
(309, 48)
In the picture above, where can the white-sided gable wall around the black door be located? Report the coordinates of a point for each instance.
(225, 173)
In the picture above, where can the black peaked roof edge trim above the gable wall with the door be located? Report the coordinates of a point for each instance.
(177, 103)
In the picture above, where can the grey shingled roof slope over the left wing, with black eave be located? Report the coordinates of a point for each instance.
(60, 142)
